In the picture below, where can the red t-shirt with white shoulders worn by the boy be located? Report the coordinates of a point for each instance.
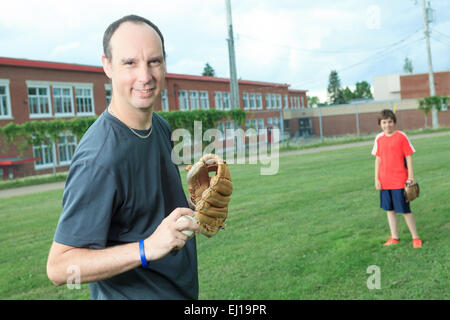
(392, 151)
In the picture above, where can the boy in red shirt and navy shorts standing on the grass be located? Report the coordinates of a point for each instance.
(393, 167)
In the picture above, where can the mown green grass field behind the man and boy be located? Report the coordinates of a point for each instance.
(309, 232)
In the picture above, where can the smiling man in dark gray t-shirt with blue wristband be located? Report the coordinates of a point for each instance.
(123, 198)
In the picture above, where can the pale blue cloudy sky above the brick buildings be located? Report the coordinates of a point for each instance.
(287, 41)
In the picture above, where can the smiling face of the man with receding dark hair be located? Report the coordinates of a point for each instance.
(137, 66)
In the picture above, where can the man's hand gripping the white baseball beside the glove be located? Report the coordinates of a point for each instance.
(168, 235)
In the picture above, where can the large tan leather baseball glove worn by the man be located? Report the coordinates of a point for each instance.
(210, 195)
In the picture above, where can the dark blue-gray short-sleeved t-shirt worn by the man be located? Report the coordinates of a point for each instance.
(118, 190)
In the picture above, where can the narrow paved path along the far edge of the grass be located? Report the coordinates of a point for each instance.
(60, 185)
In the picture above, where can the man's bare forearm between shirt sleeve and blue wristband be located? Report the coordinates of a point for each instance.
(93, 264)
